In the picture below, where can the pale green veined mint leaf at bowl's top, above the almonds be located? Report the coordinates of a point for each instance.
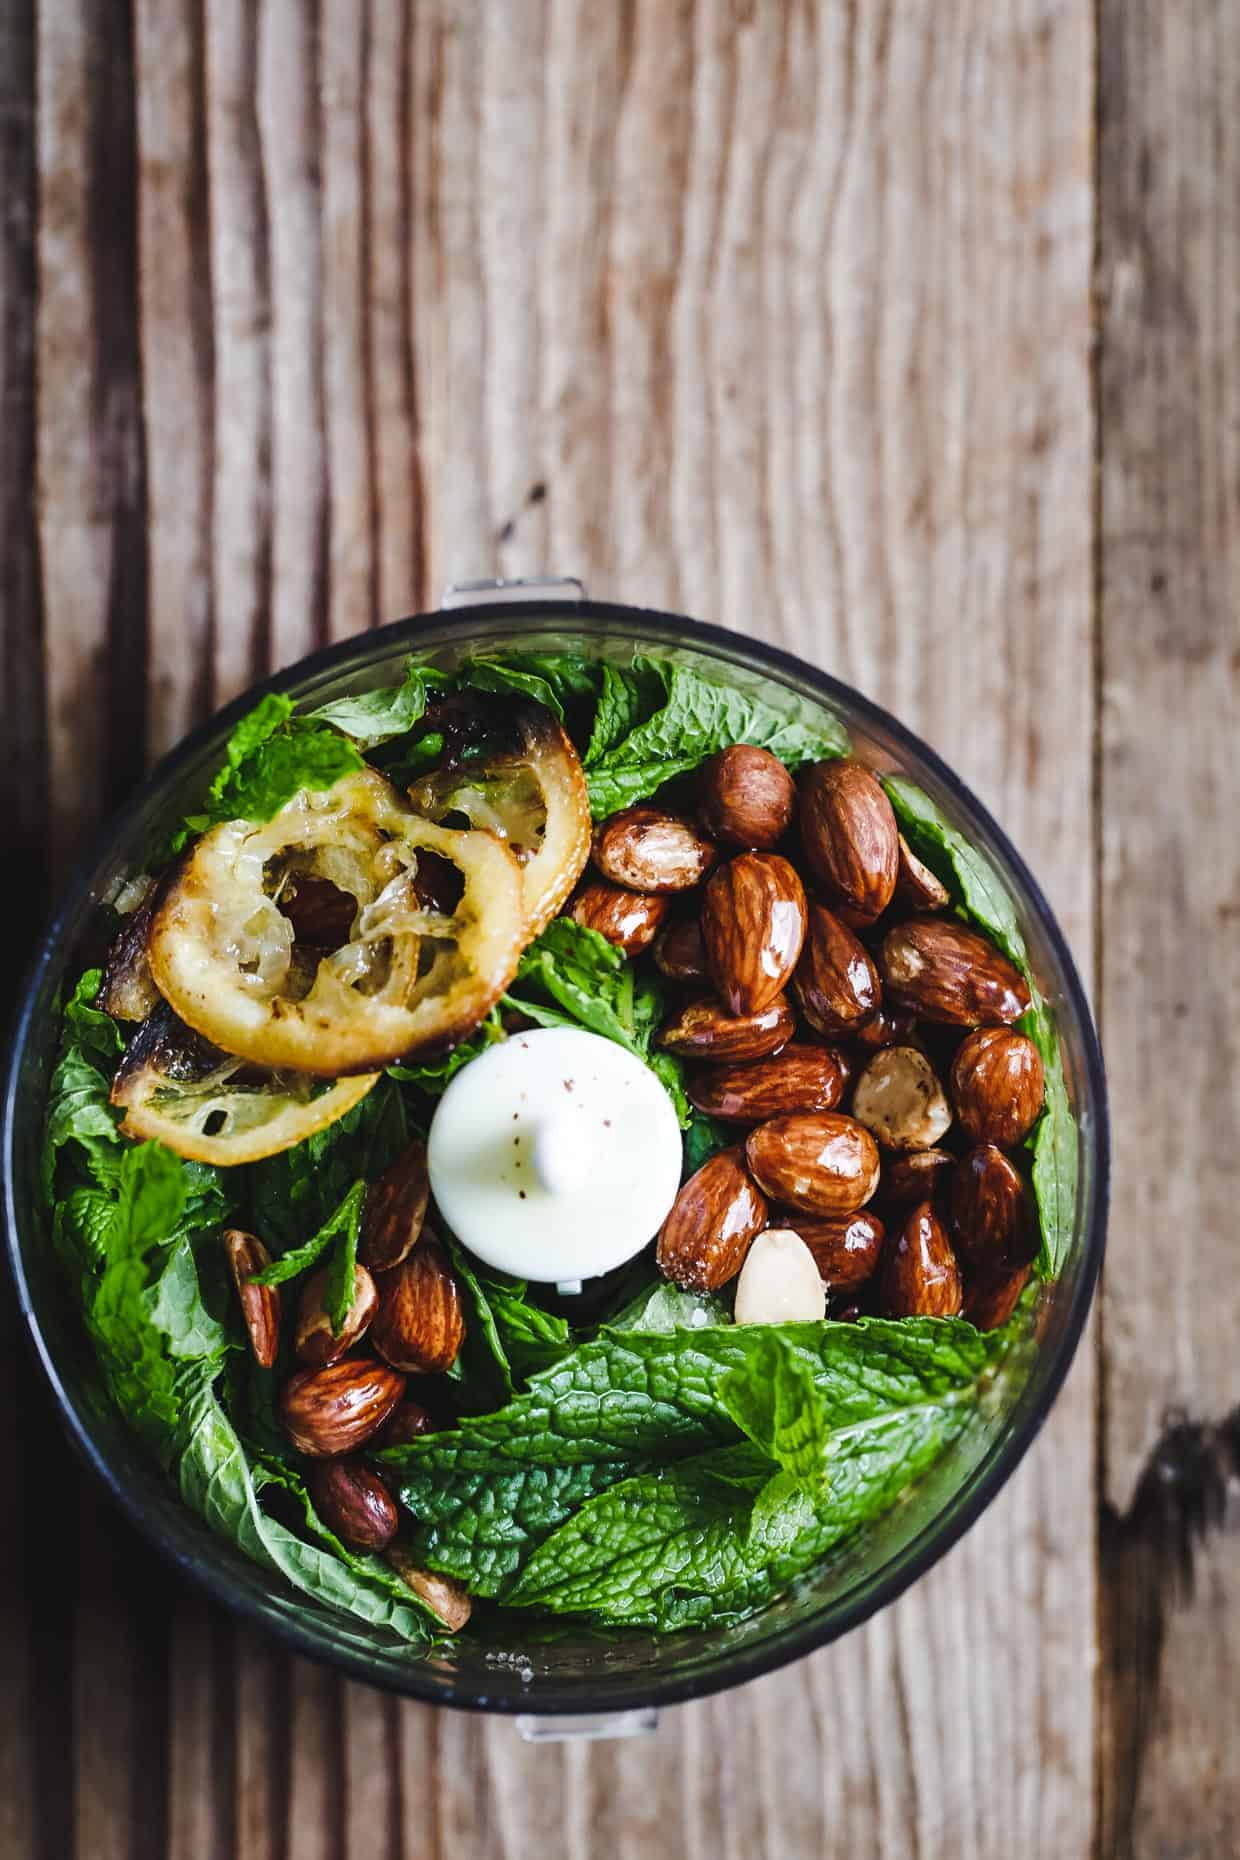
(698, 719)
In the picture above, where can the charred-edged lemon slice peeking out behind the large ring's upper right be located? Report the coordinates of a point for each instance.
(533, 797)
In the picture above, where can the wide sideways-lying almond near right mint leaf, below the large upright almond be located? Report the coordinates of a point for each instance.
(951, 976)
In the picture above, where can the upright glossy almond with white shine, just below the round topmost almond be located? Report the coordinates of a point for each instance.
(754, 929)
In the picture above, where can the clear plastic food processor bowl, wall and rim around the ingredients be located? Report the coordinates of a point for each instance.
(577, 1673)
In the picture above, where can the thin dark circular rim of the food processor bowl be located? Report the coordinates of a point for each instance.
(936, 1539)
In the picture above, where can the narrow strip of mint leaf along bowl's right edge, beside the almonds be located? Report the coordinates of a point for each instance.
(981, 896)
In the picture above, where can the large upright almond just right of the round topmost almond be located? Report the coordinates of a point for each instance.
(851, 836)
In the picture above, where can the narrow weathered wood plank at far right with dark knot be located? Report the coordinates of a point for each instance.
(1170, 410)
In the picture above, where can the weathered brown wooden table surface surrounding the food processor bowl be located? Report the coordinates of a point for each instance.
(899, 334)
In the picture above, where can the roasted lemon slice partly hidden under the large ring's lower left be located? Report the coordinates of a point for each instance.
(211, 1108)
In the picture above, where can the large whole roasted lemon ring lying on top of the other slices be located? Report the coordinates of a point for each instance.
(408, 976)
